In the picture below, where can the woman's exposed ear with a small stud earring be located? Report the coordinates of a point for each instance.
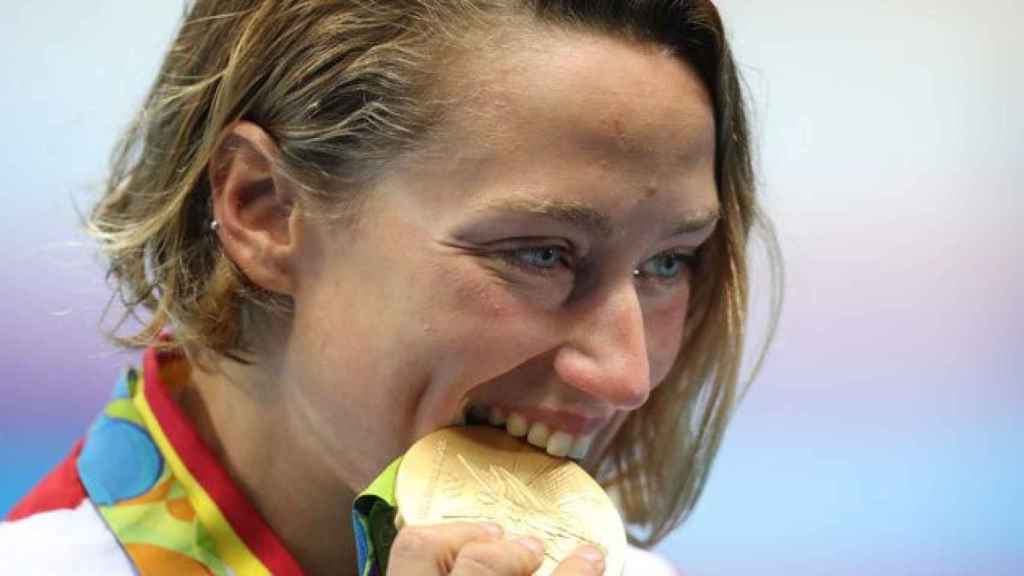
(254, 208)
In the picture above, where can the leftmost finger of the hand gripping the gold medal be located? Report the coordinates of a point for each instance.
(432, 551)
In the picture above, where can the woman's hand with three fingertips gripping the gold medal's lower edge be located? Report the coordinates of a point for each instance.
(479, 550)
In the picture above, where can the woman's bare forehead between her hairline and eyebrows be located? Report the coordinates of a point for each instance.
(582, 116)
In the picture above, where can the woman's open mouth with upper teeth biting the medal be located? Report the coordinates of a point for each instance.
(550, 432)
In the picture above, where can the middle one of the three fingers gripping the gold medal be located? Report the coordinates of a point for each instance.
(499, 558)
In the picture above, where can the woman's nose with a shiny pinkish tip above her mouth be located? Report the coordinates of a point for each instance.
(606, 355)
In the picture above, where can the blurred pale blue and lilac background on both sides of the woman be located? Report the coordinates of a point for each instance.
(884, 435)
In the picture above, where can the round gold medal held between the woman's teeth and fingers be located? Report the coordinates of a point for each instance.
(480, 474)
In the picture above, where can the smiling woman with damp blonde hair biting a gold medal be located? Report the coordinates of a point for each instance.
(348, 228)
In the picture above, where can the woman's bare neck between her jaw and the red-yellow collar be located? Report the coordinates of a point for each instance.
(268, 457)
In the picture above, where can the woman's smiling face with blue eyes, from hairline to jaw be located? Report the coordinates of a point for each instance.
(534, 263)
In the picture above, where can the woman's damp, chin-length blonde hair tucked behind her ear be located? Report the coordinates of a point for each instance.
(345, 89)
